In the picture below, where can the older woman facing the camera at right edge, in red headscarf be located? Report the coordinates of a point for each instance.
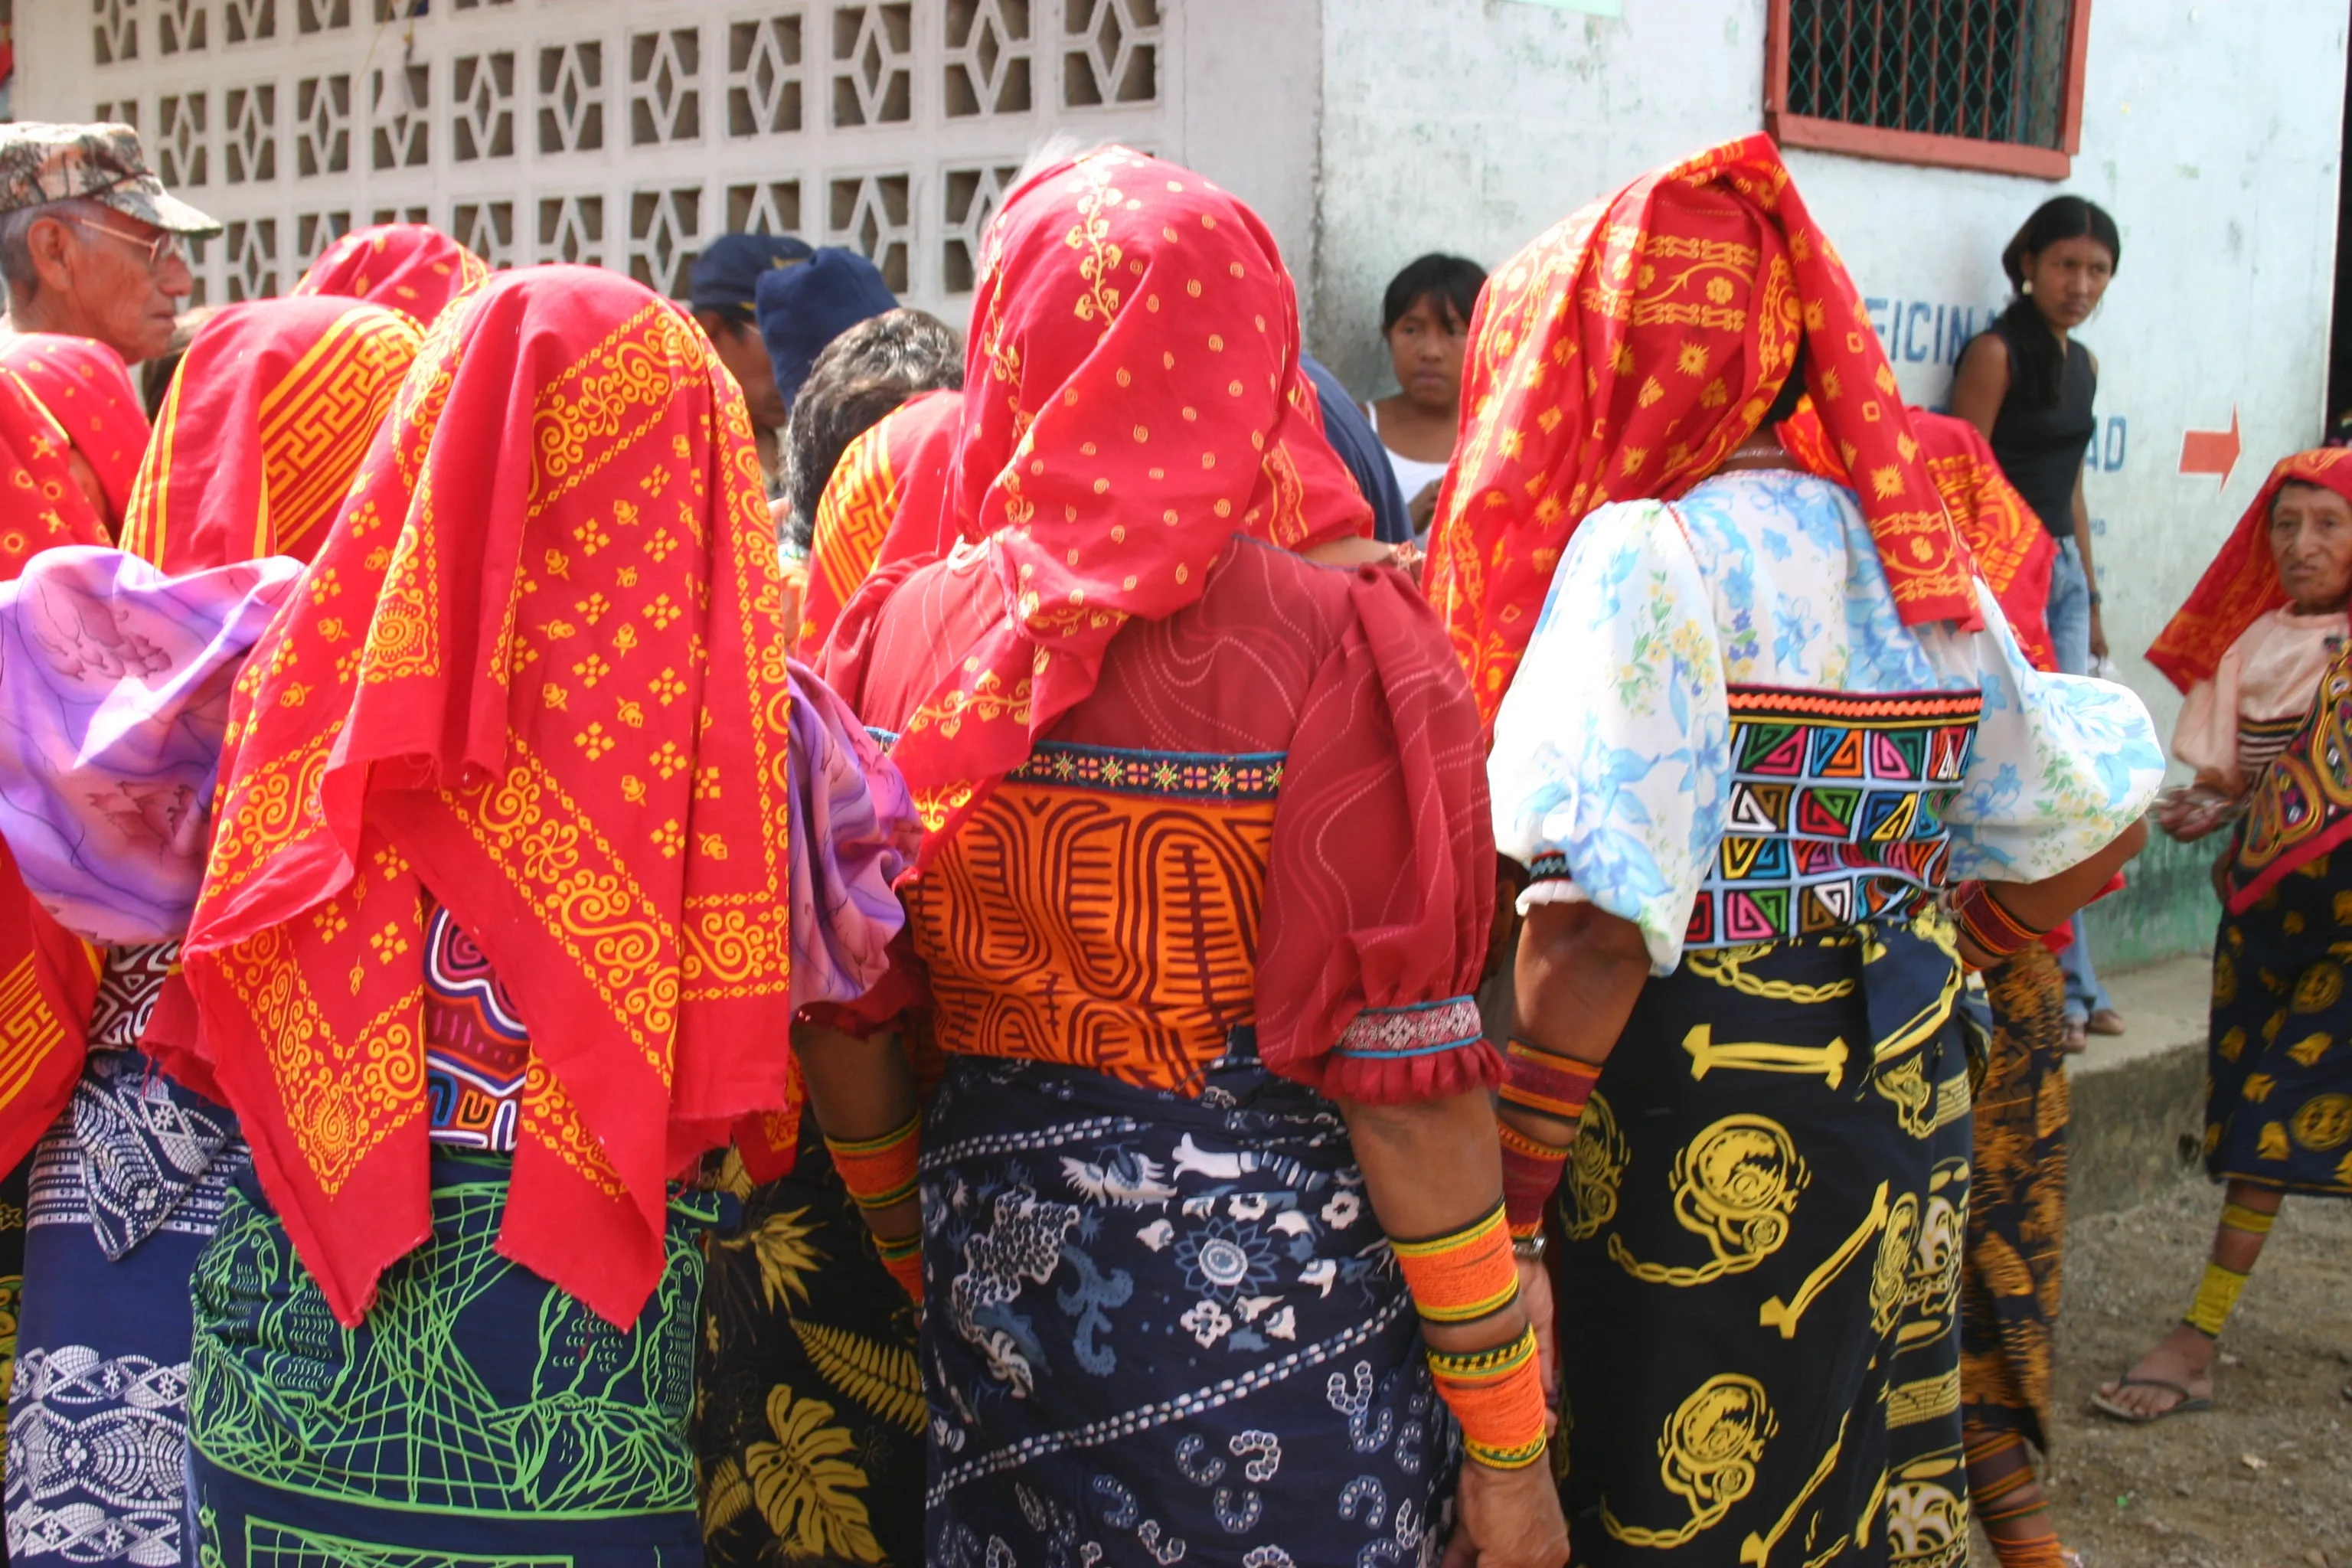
(2259, 652)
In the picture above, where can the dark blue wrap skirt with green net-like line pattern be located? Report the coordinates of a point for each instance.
(479, 1416)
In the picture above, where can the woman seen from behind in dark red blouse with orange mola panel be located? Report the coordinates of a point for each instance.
(1203, 904)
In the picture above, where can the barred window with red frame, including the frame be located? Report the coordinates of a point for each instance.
(1958, 83)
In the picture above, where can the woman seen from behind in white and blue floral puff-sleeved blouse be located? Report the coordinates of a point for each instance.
(1749, 730)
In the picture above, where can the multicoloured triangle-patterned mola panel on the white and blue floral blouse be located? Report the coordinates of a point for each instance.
(1836, 810)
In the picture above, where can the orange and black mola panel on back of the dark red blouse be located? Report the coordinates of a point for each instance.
(1102, 911)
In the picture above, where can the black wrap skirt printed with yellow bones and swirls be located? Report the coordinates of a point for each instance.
(1760, 1273)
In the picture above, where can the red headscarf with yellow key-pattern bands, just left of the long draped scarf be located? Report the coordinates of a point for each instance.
(265, 424)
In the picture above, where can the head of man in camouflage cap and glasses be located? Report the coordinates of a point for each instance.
(91, 241)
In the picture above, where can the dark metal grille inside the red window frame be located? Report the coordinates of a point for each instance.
(1979, 69)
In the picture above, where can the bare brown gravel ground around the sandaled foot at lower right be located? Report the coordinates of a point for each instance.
(2266, 1477)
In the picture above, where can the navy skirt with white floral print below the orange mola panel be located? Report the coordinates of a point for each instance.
(1168, 1327)
